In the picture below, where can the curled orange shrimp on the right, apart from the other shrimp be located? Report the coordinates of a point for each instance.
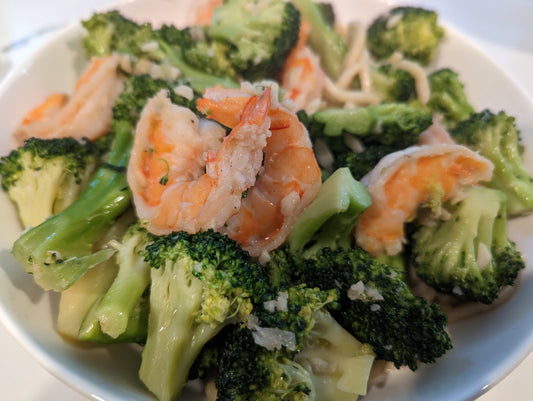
(403, 181)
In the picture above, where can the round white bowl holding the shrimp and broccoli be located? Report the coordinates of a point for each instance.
(485, 347)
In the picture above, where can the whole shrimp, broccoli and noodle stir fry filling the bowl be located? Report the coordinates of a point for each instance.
(281, 205)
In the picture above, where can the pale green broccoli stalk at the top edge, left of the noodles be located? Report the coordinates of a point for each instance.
(324, 41)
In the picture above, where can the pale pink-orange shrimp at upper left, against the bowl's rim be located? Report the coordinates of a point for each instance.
(87, 113)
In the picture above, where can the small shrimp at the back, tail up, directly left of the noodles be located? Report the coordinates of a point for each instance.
(302, 77)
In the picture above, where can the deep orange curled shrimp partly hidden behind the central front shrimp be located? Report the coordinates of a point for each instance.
(288, 181)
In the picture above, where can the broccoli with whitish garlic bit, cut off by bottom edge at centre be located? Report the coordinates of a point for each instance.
(275, 356)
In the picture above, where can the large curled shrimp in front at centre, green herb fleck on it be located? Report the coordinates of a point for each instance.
(185, 174)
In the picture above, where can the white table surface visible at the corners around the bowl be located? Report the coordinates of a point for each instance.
(25, 24)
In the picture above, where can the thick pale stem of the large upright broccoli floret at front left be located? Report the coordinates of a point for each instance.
(175, 301)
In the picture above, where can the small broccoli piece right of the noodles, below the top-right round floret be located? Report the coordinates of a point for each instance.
(392, 84)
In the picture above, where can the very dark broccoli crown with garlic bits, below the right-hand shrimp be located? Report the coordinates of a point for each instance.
(376, 305)
